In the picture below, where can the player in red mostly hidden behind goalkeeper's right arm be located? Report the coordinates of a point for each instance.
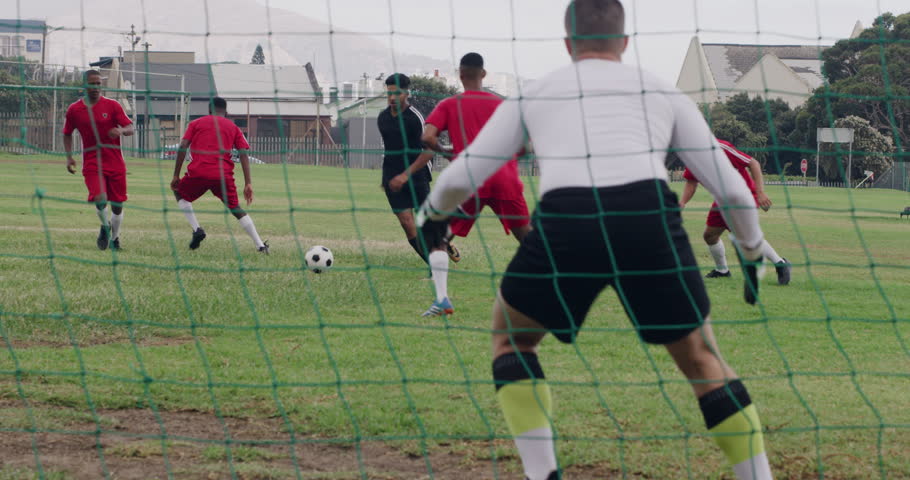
(750, 170)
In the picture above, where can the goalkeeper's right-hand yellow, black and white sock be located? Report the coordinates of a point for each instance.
(733, 420)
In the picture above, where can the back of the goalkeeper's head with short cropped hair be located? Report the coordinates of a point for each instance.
(596, 25)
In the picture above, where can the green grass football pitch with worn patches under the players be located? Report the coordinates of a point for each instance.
(159, 361)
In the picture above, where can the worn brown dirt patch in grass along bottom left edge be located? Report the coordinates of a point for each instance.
(131, 449)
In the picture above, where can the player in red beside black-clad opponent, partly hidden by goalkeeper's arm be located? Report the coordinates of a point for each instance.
(463, 116)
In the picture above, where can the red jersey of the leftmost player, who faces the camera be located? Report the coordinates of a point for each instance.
(105, 115)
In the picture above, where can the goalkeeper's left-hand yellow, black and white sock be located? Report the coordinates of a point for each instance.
(524, 397)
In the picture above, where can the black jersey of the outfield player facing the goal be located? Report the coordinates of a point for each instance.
(401, 150)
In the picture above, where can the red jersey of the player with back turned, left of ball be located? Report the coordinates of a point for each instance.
(211, 139)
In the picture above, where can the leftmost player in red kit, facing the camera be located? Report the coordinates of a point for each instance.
(100, 122)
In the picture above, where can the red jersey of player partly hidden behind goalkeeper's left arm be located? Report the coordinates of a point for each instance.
(463, 116)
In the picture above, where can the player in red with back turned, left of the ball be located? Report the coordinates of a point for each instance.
(210, 140)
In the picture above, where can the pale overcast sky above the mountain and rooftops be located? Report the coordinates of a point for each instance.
(661, 29)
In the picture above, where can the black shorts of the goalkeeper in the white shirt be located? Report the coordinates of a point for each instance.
(633, 241)
